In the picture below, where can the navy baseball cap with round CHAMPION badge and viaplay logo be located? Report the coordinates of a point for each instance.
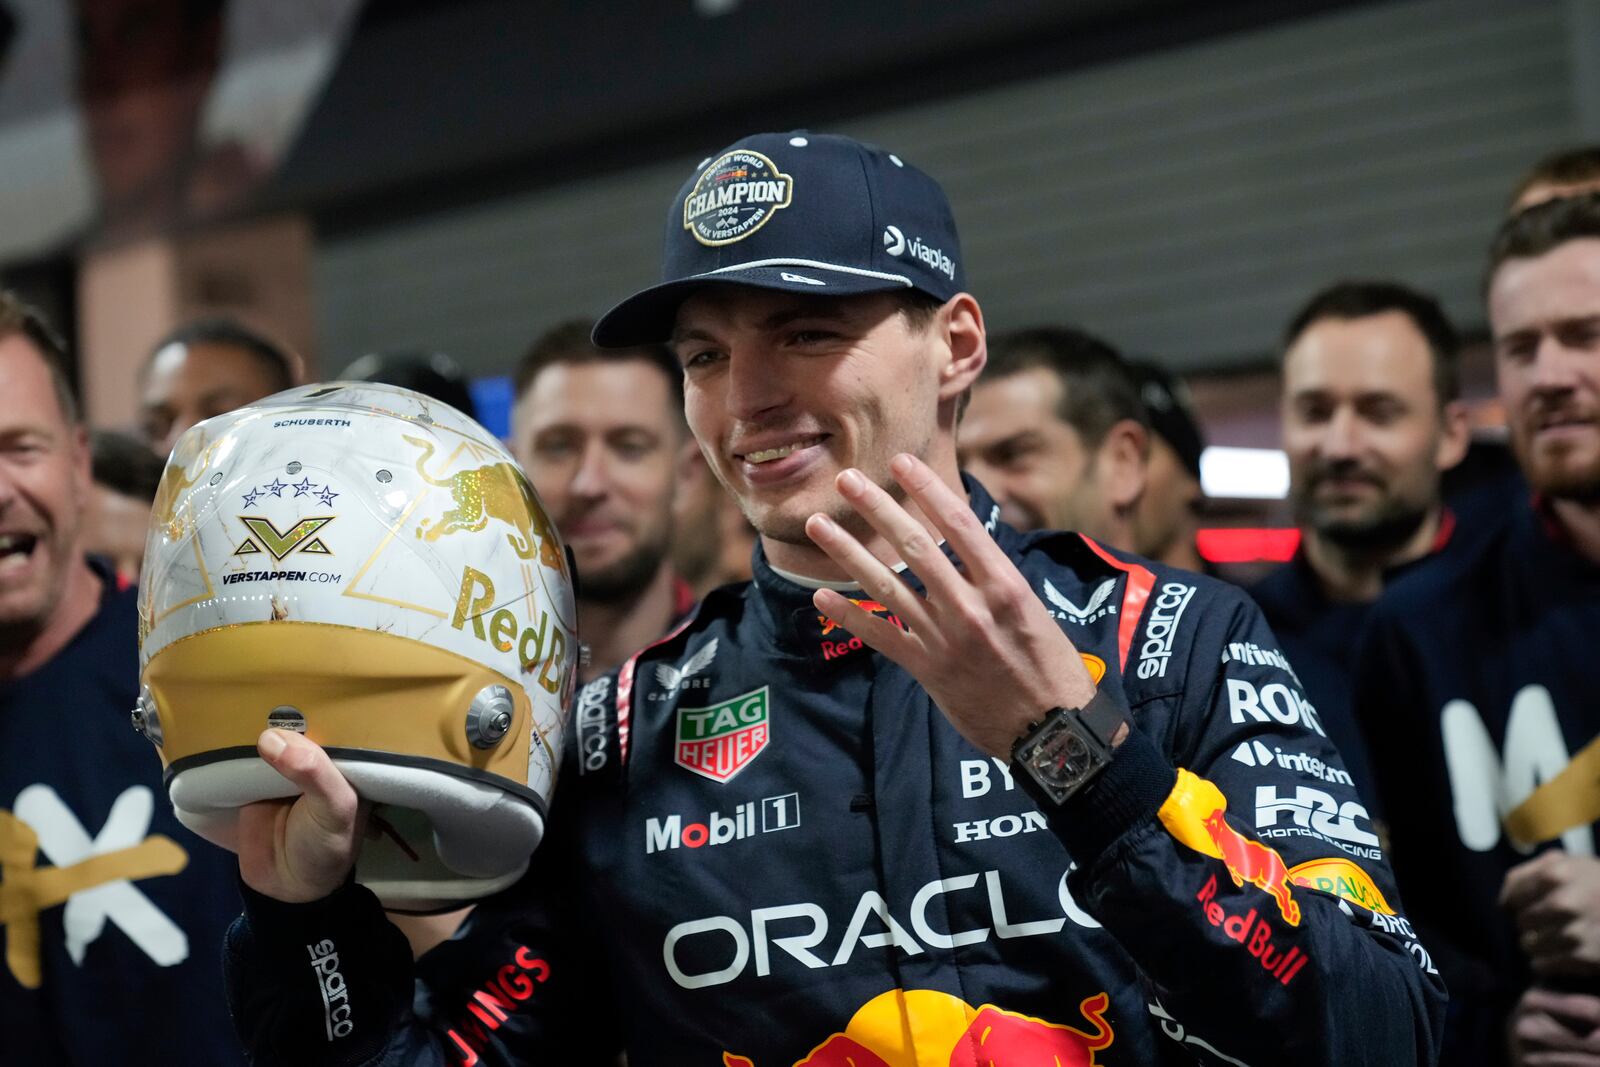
(802, 214)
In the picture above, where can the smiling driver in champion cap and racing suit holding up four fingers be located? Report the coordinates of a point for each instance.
(910, 807)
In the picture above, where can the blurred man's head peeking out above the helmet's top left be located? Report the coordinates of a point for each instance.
(209, 367)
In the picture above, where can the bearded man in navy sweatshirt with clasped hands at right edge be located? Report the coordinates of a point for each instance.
(1479, 677)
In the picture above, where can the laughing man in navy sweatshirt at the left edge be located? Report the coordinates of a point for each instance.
(108, 908)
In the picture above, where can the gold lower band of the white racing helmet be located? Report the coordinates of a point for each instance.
(358, 693)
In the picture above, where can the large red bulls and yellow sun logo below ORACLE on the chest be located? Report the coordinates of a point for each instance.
(924, 1028)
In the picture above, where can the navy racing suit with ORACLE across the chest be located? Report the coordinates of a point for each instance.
(772, 849)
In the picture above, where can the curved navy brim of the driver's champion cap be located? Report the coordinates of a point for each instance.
(649, 316)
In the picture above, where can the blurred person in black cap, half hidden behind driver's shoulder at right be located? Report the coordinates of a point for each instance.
(1169, 513)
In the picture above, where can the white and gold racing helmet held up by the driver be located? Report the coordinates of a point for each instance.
(372, 569)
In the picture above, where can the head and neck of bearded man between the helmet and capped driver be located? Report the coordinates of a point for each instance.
(601, 434)
